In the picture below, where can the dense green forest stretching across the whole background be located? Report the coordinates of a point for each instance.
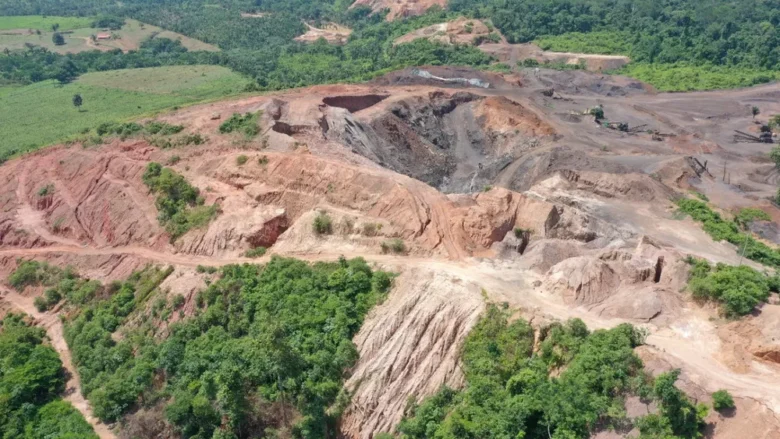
(668, 41)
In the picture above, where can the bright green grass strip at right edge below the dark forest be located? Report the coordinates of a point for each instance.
(686, 77)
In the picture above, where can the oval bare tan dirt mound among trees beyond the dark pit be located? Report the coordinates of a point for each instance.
(459, 31)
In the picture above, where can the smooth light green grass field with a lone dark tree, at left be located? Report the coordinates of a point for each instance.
(43, 113)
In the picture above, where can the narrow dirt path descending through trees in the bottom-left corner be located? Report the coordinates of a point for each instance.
(54, 330)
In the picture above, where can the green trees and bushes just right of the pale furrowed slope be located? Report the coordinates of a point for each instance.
(575, 382)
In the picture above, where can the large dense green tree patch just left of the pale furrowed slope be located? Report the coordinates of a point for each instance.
(266, 351)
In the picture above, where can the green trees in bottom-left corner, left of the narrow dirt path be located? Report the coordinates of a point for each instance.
(31, 383)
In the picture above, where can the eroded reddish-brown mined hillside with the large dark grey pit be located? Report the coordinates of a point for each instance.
(498, 189)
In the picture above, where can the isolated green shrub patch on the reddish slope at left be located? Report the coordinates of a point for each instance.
(180, 205)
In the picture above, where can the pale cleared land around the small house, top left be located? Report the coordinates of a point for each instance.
(80, 39)
